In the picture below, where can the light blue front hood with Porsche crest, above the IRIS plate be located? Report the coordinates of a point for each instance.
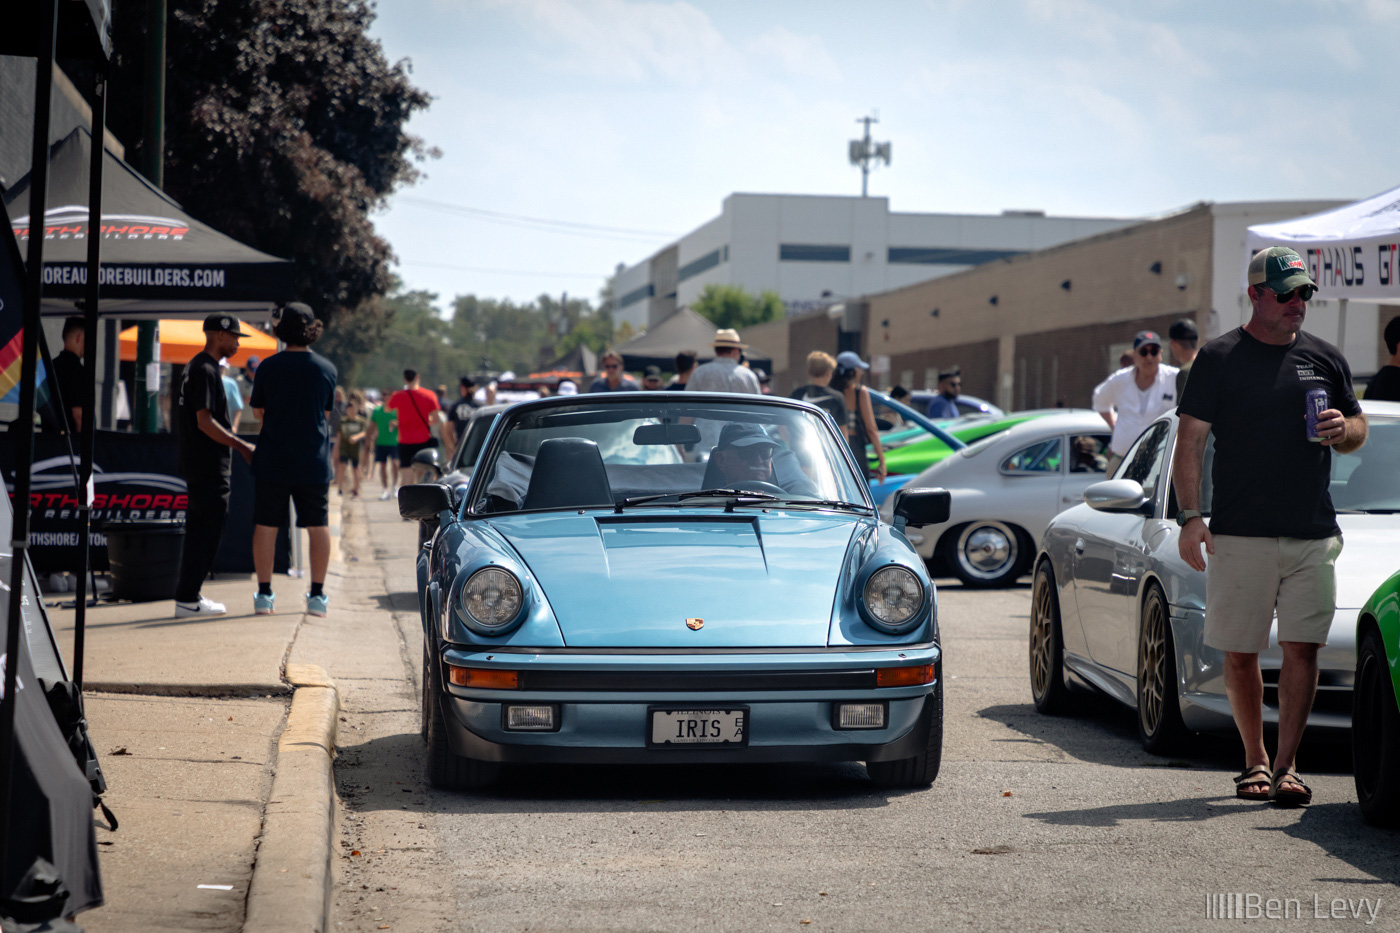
(633, 581)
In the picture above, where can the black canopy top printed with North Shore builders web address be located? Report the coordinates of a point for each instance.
(157, 261)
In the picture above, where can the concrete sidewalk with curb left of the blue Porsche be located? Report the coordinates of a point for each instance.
(218, 760)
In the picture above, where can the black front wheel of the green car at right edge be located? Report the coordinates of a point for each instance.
(1375, 735)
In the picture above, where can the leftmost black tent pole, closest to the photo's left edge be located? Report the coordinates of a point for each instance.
(48, 29)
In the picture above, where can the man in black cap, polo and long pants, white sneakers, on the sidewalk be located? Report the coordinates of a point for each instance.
(206, 438)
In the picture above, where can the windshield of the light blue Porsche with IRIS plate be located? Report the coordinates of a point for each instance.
(591, 455)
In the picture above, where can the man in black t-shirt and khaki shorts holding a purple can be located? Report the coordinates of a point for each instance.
(1273, 534)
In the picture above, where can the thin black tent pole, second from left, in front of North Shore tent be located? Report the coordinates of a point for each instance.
(90, 315)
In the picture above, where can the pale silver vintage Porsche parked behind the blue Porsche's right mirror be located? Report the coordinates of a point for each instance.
(1006, 491)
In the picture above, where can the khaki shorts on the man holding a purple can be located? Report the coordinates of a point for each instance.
(1249, 579)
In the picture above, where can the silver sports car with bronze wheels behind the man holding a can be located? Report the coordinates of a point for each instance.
(1118, 610)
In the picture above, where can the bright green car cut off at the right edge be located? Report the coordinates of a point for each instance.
(1375, 715)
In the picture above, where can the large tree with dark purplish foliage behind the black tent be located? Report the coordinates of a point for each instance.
(285, 130)
